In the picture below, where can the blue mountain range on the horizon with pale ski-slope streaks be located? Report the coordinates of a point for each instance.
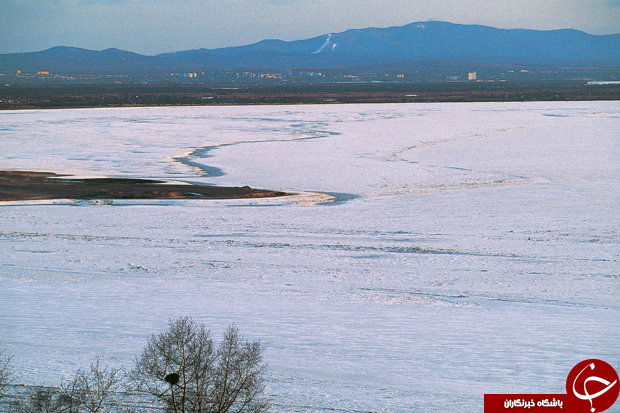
(431, 41)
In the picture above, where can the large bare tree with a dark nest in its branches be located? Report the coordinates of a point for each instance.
(181, 369)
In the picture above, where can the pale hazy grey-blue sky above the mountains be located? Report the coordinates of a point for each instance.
(156, 26)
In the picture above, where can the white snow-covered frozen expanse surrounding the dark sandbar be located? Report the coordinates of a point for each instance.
(435, 252)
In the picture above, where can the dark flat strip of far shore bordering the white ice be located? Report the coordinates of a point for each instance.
(109, 95)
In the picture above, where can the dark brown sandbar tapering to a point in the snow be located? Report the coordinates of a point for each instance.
(28, 185)
